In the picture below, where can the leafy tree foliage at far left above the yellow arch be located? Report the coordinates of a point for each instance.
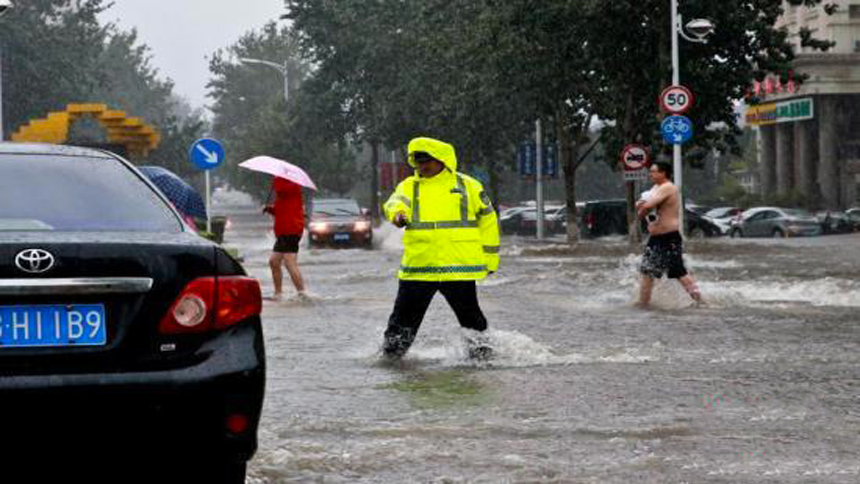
(56, 52)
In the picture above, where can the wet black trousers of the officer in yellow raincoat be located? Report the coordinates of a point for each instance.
(413, 299)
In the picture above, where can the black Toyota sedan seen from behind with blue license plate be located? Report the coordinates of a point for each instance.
(123, 333)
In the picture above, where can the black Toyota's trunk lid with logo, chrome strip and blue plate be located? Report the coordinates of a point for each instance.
(133, 277)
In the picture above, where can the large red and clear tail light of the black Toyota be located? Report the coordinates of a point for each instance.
(211, 303)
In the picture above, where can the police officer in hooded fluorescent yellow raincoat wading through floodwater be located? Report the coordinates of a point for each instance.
(451, 241)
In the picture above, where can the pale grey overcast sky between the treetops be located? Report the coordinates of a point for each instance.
(182, 34)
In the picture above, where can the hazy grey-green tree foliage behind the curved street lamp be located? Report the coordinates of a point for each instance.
(253, 117)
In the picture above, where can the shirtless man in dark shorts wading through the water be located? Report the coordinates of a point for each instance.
(664, 252)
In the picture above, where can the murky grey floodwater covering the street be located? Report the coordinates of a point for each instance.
(761, 385)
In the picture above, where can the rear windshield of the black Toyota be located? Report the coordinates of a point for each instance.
(45, 192)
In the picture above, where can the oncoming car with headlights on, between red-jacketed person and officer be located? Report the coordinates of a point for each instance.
(339, 222)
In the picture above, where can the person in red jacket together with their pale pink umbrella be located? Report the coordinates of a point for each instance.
(289, 215)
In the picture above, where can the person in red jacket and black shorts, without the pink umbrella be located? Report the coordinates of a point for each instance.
(289, 214)
